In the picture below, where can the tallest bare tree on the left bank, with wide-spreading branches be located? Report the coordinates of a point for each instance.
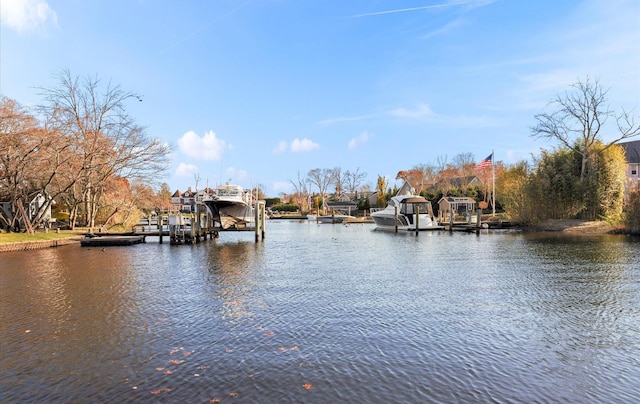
(106, 139)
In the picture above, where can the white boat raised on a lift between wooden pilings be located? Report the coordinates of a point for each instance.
(231, 207)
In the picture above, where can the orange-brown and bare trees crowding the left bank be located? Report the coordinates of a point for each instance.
(79, 149)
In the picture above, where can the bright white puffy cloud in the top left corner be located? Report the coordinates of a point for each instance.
(27, 15)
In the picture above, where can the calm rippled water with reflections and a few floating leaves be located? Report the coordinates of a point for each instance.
(325, 313)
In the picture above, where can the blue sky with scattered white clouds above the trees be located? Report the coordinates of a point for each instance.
(261, 92)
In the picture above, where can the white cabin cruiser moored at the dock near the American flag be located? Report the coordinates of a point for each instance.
(406, 211)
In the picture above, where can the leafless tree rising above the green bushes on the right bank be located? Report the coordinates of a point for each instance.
(579, 117)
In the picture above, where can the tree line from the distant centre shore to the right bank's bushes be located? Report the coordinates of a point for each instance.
(581, 178)
